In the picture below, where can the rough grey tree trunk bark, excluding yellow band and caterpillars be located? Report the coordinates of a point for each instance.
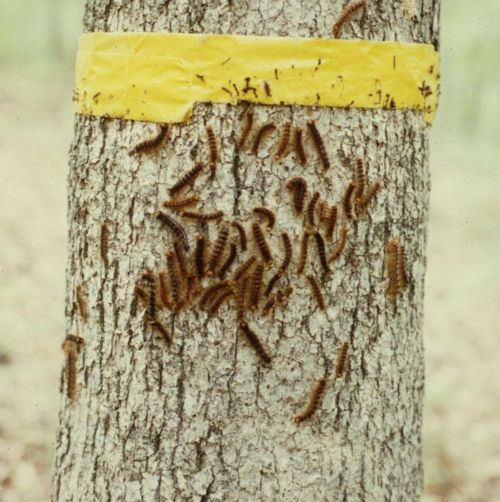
(204, 419)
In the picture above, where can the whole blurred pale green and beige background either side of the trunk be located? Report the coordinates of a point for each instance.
(462, 316)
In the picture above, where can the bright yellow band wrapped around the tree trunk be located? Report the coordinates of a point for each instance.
(159, 77)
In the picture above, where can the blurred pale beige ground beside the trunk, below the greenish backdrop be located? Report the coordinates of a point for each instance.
(462, 412)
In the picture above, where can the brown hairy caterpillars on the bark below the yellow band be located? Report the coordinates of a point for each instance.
(240, 268)
